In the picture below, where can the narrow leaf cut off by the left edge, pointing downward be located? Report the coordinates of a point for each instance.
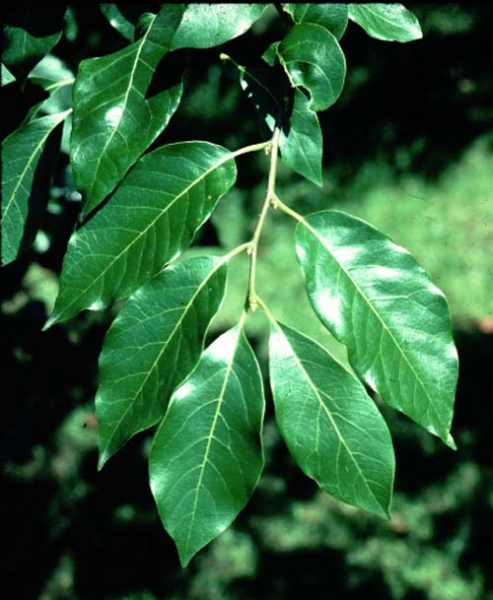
(28, 156)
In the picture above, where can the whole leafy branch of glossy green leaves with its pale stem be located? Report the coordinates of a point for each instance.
(143, 207)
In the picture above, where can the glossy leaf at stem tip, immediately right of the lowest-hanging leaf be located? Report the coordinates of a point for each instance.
(331, 426)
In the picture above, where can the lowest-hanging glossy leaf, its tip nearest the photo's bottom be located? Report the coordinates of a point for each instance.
(207, 454)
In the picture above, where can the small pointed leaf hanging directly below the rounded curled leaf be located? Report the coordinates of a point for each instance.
(301, 149)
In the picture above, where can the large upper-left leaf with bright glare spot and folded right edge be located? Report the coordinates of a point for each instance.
(114, 120)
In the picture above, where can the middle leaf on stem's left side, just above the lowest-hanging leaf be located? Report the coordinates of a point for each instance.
(152, 345)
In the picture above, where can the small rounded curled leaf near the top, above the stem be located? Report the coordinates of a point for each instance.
(313, 59)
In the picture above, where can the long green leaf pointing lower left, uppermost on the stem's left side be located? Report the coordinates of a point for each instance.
(146, 223)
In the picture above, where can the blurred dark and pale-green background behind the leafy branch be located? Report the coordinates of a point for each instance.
(408, 147)
